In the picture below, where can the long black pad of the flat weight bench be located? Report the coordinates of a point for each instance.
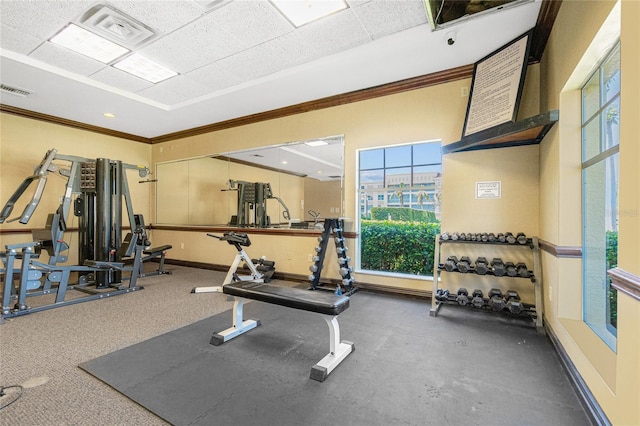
(308, 300)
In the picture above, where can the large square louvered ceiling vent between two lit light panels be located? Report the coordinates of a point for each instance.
(116, 26)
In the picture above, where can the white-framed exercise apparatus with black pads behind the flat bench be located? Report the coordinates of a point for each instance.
(261, 270)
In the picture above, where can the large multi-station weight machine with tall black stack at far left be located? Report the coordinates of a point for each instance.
(100, 187)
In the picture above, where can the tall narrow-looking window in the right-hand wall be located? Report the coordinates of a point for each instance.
(600, 155)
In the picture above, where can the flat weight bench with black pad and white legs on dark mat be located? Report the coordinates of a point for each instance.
(326, 304)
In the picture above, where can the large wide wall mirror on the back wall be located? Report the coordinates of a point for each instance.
(293, 185)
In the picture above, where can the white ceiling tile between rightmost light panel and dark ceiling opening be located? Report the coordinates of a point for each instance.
(383, 17)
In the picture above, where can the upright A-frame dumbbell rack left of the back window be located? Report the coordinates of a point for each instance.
(333, 226)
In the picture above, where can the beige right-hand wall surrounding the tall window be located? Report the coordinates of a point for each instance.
(612, 376)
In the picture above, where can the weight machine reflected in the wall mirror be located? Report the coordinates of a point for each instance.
(253, 196)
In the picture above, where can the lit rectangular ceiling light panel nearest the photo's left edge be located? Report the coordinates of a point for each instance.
(89, 44)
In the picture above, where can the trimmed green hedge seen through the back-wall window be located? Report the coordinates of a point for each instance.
(403, 247)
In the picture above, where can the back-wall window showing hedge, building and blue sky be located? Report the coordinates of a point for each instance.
(397, 232)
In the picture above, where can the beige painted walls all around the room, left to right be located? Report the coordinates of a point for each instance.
(541, 186)
